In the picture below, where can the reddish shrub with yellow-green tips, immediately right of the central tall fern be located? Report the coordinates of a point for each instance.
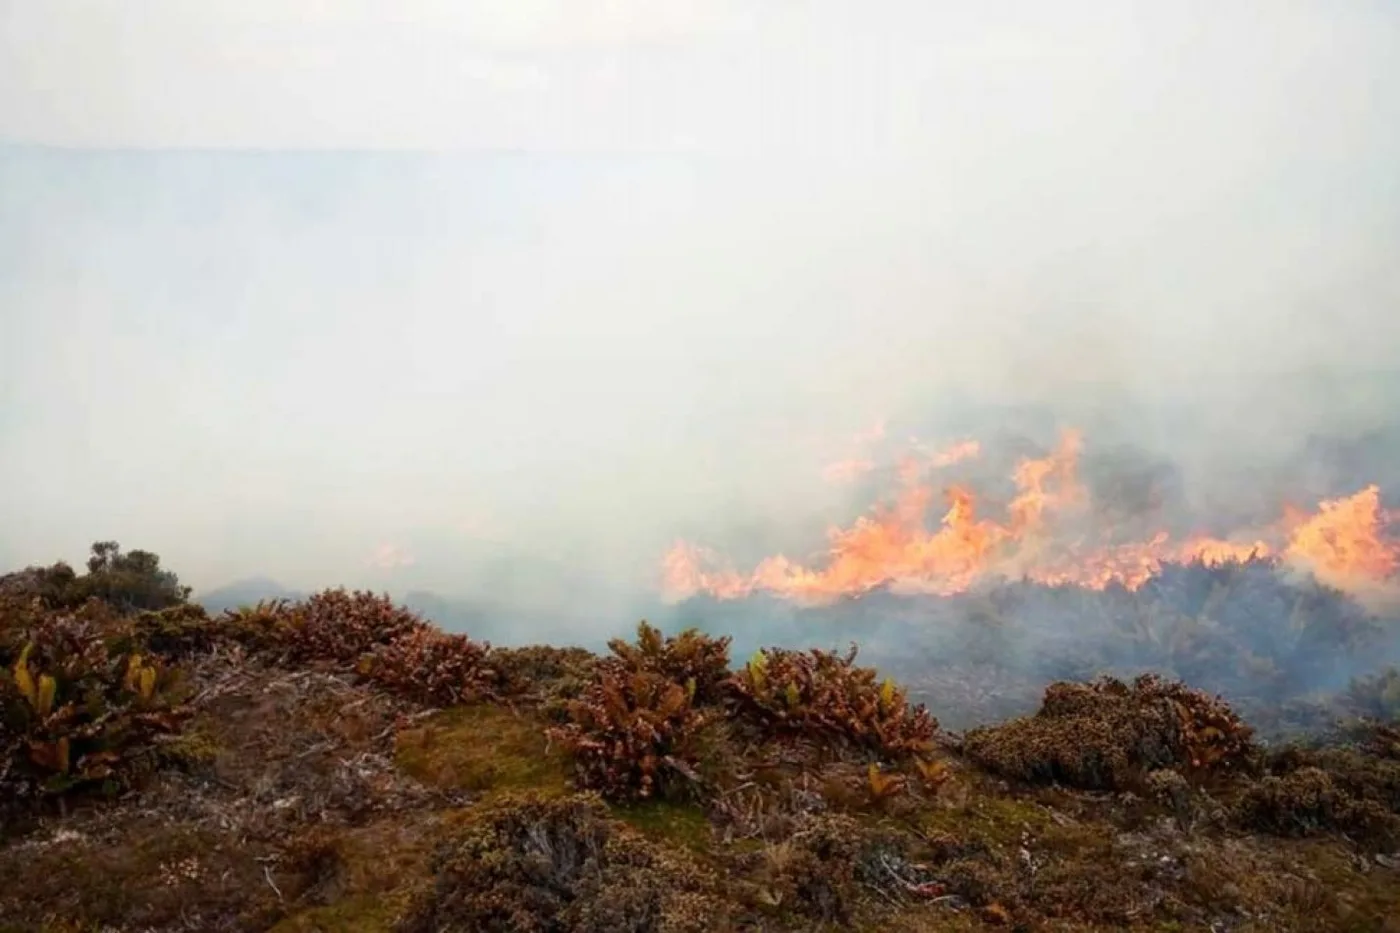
(825, 694)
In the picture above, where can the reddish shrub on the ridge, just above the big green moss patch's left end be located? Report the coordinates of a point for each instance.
(432, 668)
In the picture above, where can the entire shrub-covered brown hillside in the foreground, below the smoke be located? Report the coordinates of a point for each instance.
(339, 764)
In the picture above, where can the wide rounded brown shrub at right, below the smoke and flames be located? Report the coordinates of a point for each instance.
(1108, 735)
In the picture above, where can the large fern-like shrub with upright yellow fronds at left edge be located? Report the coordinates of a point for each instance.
(76, 715)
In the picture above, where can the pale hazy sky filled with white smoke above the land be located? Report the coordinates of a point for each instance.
(304, 288)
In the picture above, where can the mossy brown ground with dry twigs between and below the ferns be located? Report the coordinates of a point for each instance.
(311, 799)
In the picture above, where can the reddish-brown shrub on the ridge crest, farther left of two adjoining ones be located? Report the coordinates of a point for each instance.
(341, 627)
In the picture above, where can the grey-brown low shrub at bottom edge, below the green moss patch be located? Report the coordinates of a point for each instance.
(540, 865)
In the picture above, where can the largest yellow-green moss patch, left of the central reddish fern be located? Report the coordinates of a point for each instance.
(484, 749)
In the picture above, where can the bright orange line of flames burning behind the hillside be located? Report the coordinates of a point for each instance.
(1044, 537)
